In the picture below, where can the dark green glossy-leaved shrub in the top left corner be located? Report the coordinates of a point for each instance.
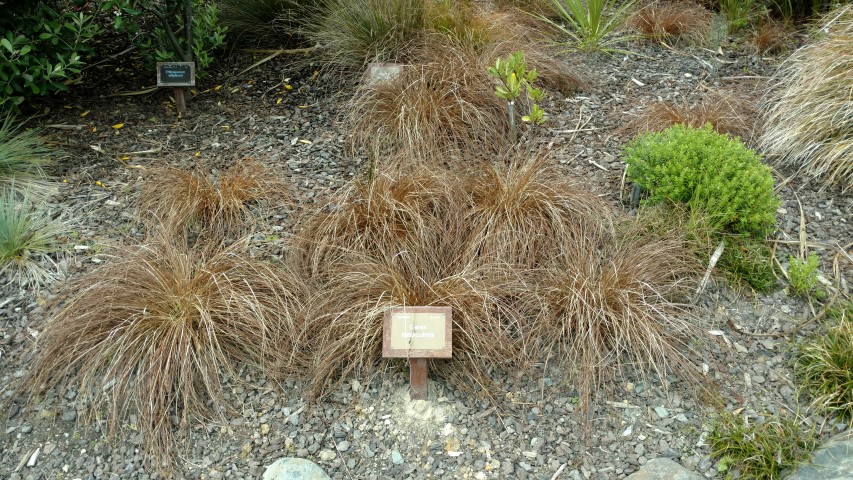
(41, 47)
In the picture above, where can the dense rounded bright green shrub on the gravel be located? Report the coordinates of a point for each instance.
(708, 172)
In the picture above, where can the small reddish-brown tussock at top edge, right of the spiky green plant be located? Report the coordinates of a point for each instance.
(662, 21)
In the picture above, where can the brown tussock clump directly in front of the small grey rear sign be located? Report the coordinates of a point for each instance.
(442, 108)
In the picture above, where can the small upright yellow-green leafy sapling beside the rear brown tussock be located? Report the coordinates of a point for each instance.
(515, 78)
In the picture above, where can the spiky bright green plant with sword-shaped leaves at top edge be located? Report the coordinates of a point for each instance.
(592, 24)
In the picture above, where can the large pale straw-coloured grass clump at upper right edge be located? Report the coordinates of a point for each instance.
(808, 114)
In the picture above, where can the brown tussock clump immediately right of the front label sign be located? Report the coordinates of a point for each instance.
(610, 305)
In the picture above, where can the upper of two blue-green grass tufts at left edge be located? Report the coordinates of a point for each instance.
(23, 155)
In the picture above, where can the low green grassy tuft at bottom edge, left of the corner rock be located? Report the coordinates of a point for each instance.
(760, 449)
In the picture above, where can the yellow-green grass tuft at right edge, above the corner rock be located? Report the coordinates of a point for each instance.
(824, 364)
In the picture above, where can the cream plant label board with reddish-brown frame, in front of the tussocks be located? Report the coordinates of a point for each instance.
(417, 332)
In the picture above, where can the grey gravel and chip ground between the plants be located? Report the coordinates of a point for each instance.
(369, 429)
